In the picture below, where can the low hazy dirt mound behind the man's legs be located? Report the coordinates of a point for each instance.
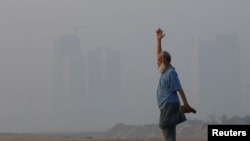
(184, 130)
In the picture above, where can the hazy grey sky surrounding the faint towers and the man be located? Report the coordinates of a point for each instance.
(28, 28)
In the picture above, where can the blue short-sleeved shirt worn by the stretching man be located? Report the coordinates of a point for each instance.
(168, 86)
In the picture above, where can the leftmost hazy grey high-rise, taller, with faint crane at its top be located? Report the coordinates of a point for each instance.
(69, 76)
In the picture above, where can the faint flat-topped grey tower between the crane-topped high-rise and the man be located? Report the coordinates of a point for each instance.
(104, 77)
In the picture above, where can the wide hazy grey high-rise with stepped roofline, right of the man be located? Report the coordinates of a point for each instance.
(220, 76)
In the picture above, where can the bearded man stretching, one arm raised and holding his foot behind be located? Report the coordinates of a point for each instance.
(171, 113)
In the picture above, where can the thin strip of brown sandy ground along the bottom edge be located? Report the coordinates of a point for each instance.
(5, 138)
